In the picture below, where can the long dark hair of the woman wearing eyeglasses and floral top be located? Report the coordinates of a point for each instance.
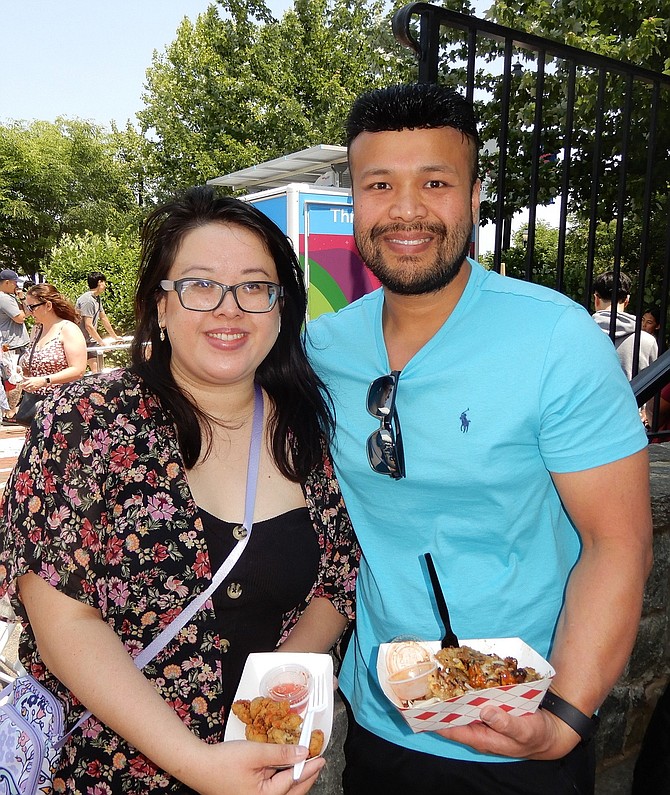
(302, 414)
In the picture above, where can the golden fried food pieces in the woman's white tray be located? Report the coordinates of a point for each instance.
(268, 721)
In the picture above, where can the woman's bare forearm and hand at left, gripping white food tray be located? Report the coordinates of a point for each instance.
(84, 652)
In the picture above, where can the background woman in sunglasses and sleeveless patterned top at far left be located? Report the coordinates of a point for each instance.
(57, 351)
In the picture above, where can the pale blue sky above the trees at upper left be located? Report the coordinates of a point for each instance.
(84, 58)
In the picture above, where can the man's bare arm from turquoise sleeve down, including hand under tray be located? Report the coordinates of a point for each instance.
(610, 506)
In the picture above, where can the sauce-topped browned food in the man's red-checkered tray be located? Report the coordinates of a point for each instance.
(463, 669)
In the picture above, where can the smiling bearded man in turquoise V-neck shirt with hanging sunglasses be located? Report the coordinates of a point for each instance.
(507, 510)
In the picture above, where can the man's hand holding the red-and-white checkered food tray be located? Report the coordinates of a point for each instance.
(537, 736)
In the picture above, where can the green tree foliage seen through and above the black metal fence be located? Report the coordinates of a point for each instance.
(634, 31)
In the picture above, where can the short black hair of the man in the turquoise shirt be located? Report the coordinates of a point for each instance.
(412, 106)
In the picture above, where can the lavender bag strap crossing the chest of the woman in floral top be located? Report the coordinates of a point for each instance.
(162, 639)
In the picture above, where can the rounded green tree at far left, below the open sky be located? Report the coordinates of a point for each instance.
(56, 179)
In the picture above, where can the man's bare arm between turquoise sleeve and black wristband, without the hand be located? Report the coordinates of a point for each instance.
(610, 506)
